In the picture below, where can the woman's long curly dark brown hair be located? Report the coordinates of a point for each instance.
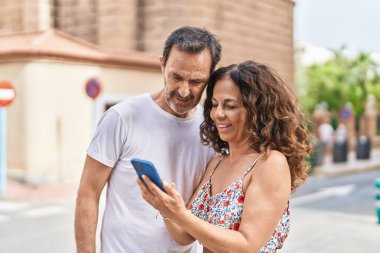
(274, 121)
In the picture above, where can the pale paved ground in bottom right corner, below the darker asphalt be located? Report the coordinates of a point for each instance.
(329, 232)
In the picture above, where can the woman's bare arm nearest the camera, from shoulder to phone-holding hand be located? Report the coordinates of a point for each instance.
(265, 201)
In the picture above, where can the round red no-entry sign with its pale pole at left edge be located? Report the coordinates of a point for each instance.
(7, 95)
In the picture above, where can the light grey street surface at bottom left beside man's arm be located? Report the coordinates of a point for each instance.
(37, 227)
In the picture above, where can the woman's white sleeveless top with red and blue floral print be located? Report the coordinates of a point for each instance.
(225, 210)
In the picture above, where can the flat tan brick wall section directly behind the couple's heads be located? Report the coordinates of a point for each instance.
(256, 30)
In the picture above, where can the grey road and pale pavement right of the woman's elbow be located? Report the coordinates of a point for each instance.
(335, 214)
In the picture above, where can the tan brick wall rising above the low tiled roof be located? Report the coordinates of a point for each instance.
(248, 29)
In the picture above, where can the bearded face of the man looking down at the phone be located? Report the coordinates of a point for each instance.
(185, 76)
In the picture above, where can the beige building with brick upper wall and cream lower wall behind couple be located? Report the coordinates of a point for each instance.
(50, 123)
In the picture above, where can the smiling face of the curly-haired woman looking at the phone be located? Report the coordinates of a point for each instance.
(228, 111)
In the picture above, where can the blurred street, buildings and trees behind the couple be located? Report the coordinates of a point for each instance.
(63, 63)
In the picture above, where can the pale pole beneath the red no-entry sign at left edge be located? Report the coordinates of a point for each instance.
(3, 150)
